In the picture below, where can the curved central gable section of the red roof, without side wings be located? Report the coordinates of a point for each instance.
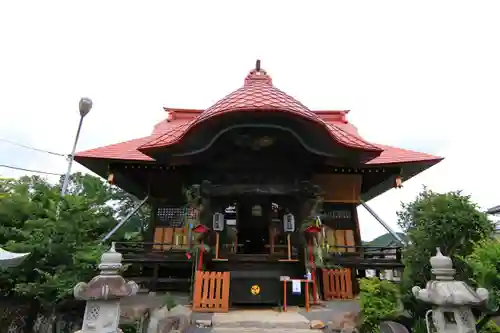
(258, 94)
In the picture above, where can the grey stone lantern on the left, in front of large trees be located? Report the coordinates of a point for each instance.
(103, 294)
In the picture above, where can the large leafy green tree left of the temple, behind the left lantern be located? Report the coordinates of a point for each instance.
(63, 235)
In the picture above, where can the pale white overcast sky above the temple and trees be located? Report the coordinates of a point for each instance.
(420, 75)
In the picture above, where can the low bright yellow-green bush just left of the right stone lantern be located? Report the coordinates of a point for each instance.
(379, 300)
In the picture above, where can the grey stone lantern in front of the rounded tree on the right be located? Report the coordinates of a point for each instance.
(452, 300)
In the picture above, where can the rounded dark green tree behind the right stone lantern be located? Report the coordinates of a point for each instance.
(450, 221)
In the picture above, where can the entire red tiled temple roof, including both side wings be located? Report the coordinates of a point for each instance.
(257, 95)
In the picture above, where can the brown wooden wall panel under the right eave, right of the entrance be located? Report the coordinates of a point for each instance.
(339, 188)
